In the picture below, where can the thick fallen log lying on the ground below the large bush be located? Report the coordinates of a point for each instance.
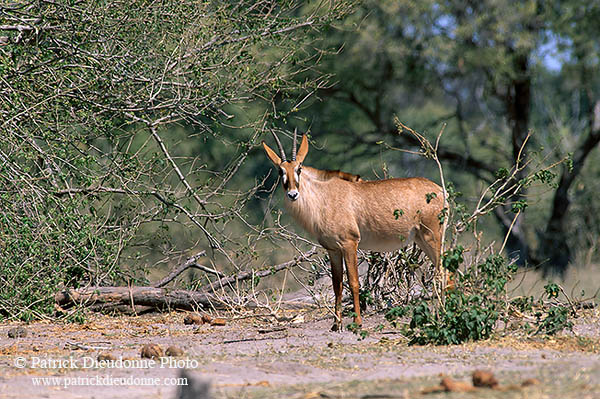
(159, 298)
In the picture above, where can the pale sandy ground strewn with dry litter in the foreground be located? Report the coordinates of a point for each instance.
(259, 357)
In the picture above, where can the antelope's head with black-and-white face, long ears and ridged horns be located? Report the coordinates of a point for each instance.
(289, 170)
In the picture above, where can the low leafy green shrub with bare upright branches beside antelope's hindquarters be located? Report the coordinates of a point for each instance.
(470, 309)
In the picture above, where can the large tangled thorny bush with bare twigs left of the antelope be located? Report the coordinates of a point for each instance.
(123, 131)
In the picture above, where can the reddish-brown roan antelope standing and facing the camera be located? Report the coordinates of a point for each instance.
(345, 213)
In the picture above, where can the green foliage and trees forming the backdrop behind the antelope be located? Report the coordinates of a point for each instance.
(129, 135)
